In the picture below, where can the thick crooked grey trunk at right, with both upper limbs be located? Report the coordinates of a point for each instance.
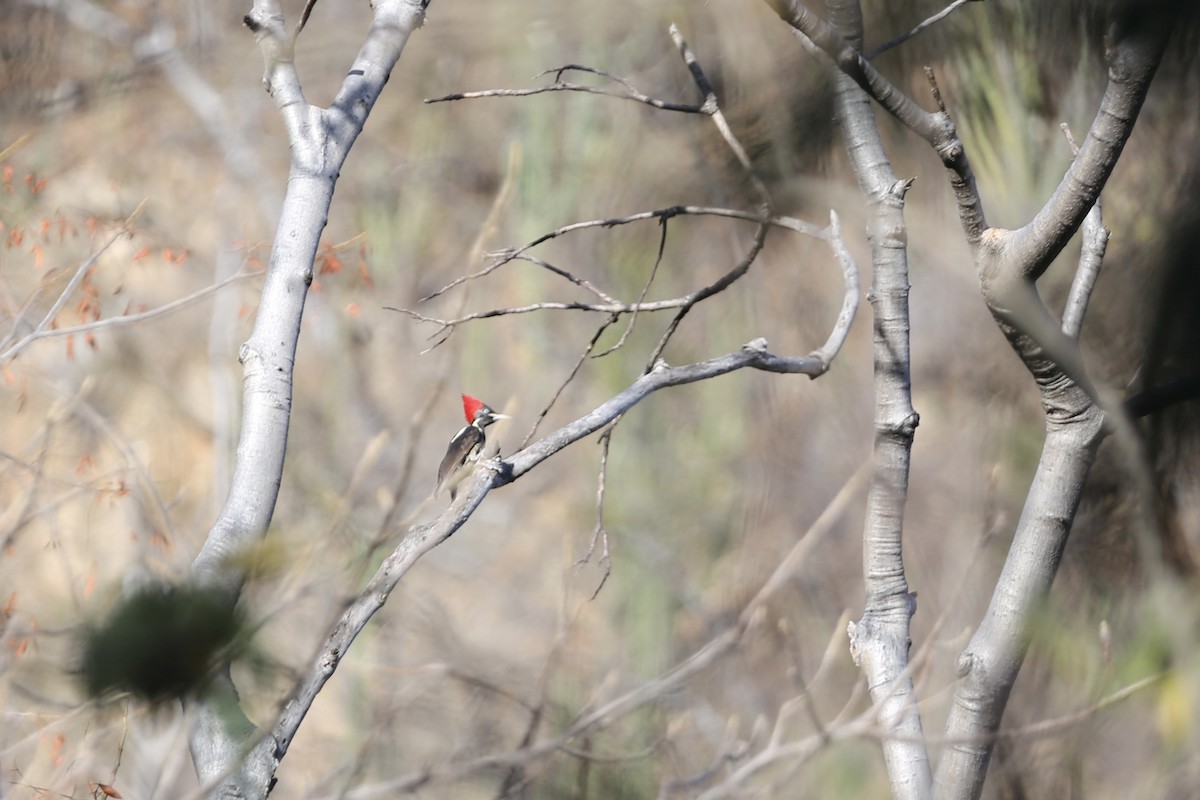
(1009, 264)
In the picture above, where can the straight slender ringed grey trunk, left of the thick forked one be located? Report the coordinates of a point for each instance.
(880, 641)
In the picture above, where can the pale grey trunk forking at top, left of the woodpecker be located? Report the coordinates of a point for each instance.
(227, 757)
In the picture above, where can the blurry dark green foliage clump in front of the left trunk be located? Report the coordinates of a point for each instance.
(160, 643)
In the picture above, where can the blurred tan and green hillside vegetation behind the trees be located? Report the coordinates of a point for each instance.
(116, 447)
